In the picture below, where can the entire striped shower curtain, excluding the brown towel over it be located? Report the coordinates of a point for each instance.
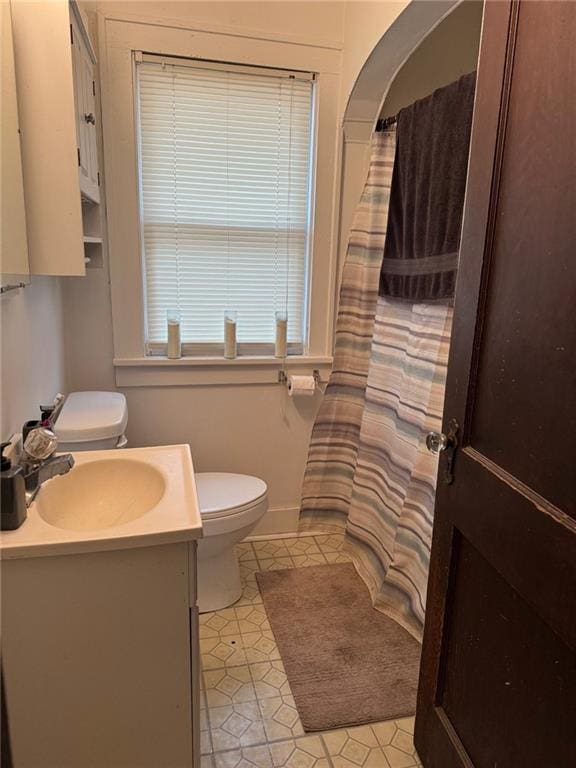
(368, 471)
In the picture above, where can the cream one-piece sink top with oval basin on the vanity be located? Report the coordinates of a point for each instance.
(116, 499)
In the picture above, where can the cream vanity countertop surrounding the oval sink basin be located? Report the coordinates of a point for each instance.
(175, 517)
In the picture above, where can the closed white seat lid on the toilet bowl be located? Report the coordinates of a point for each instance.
(221, 492)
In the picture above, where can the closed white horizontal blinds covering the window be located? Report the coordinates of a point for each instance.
(225, 157)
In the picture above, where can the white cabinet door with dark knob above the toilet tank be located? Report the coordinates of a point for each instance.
(85, 115)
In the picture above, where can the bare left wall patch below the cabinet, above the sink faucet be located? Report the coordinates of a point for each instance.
(33, 363)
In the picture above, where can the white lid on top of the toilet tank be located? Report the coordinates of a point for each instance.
(88, 416)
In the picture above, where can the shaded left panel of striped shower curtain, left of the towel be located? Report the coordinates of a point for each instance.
(329, 476)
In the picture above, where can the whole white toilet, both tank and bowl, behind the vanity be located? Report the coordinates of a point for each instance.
(230, 505)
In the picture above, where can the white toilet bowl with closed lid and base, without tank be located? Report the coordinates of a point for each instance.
(230, 505)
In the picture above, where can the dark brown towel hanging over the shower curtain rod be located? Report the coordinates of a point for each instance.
(427, 195)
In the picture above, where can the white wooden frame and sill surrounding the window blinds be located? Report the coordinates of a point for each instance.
(119, 42)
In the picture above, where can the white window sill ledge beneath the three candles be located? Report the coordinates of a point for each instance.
(157, 371)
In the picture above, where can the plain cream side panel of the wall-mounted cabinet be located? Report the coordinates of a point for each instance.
(47, 116)
